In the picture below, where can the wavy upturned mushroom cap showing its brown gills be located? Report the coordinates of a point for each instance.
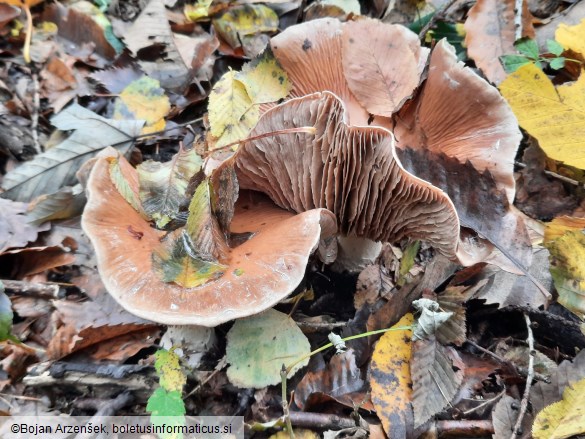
(352, 171)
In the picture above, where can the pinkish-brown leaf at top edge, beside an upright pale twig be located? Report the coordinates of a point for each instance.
(491, 33)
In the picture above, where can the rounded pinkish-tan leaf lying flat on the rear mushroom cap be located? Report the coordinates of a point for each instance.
(382, 64)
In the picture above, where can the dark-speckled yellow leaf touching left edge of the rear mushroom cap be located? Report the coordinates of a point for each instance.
(264, 79)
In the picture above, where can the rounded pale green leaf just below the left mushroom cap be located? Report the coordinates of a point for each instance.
(259, 346)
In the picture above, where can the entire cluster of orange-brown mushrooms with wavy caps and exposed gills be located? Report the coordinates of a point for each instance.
(368, 90)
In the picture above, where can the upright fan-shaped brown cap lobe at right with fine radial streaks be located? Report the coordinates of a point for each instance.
(459, 114)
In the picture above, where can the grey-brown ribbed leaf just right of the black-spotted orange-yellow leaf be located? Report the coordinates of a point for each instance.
(437, 373)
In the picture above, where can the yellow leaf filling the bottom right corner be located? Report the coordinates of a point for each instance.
(565, 418)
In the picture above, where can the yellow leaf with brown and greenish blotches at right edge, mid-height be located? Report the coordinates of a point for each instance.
(568, 269)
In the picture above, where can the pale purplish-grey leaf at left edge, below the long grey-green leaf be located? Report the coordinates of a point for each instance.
(15, 230)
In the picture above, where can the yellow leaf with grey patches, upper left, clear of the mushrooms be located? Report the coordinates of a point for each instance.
(143, 99)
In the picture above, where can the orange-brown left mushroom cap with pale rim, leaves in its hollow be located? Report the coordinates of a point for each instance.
(261, 271)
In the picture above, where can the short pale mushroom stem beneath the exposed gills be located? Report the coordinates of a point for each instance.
(354, 253)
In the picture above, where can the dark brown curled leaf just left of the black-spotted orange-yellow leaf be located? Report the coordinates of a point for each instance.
(339, 380)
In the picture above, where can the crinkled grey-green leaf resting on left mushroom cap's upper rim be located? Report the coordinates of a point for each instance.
(163, 186)
